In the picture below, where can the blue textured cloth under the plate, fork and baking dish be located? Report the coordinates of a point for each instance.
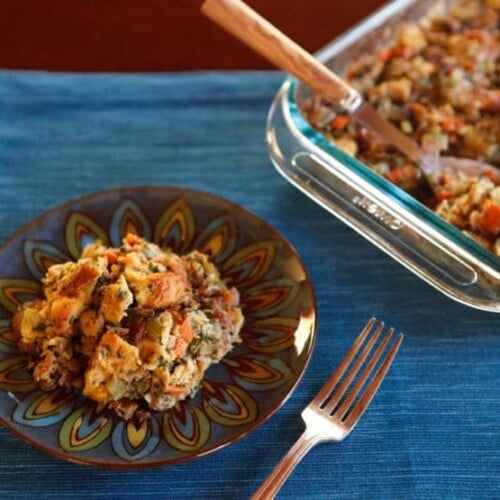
(433, 429)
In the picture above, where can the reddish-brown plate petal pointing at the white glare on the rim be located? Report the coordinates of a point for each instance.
(270, 335)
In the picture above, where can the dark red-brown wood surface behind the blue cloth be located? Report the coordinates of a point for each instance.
(154, 35)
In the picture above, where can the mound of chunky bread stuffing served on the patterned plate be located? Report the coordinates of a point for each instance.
(132, 328)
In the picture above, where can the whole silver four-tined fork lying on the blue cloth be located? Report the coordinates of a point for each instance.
(334, 412)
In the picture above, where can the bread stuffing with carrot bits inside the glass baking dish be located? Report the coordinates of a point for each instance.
(438, 81)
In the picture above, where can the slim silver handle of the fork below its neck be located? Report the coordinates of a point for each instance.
(279, 475)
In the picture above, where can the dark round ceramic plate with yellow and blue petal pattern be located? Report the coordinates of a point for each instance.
(237, 395)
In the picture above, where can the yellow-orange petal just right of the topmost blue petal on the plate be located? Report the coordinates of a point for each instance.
(176, 227)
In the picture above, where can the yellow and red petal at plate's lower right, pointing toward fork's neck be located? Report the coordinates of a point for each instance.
(228, 405)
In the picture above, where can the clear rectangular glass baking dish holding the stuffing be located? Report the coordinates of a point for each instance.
(387, 216)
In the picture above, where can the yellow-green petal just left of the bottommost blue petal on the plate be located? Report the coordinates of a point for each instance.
(84, 430)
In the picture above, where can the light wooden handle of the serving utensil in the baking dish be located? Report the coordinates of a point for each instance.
(259, 34)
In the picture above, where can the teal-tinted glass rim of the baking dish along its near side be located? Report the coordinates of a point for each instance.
(403, 199)
